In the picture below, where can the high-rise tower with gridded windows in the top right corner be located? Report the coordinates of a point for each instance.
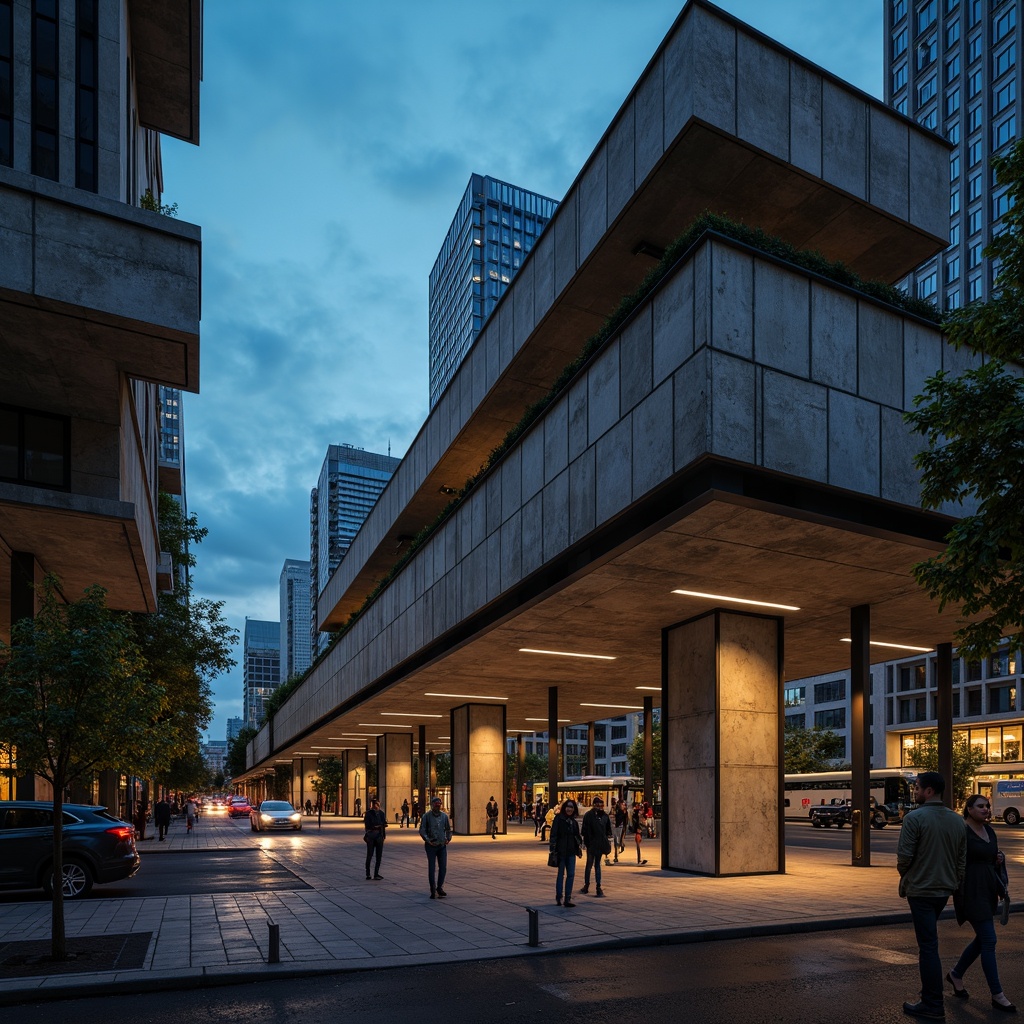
(954, 66)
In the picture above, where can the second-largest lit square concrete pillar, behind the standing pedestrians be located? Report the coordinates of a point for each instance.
(479, 763)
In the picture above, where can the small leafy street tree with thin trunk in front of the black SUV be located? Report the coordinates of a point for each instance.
(76, 699)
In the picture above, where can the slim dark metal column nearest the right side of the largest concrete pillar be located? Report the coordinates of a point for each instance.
(861, 737)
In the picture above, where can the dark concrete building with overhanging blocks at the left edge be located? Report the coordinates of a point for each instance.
(100, 300)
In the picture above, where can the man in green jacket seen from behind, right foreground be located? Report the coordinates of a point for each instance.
(931, 860)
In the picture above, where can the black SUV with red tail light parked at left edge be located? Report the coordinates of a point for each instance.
(98, 847)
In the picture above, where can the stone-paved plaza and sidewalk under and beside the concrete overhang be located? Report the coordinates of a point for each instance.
(345, 922)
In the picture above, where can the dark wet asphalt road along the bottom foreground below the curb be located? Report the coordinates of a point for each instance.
(857, 976)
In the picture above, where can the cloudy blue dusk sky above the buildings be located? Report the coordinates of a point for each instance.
(337, 140)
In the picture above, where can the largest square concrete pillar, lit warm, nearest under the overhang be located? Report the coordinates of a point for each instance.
(722, 736)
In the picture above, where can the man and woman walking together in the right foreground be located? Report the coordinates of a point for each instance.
(942, 855)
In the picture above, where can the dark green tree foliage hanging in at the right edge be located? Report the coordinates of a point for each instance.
(974, 429)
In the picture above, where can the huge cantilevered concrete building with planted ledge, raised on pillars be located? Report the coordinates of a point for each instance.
(729, 475)
